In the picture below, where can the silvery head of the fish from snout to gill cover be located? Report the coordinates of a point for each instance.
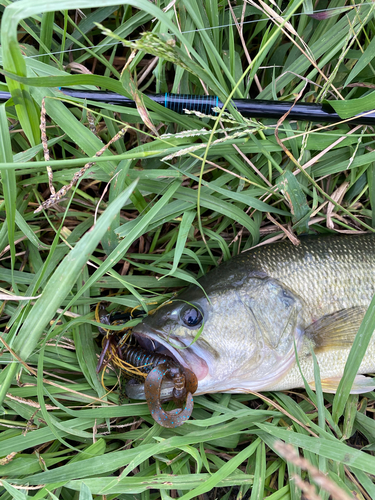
(235, 337)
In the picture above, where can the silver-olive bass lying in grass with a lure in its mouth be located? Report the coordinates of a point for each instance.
(243, 328)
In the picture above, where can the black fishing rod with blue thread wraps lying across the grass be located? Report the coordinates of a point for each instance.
(252, 108)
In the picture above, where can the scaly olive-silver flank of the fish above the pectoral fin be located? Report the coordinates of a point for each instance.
(327, 278)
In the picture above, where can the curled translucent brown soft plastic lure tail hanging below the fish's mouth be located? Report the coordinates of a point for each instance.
(185, 383)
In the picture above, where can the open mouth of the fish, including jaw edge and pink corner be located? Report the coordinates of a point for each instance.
(151, 340)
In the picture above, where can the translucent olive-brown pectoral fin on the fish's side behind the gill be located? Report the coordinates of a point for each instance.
(336, 330)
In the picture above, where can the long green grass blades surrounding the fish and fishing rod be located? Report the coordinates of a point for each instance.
(173, 198)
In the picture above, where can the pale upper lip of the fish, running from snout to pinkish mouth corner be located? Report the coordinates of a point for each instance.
(198, 365)
